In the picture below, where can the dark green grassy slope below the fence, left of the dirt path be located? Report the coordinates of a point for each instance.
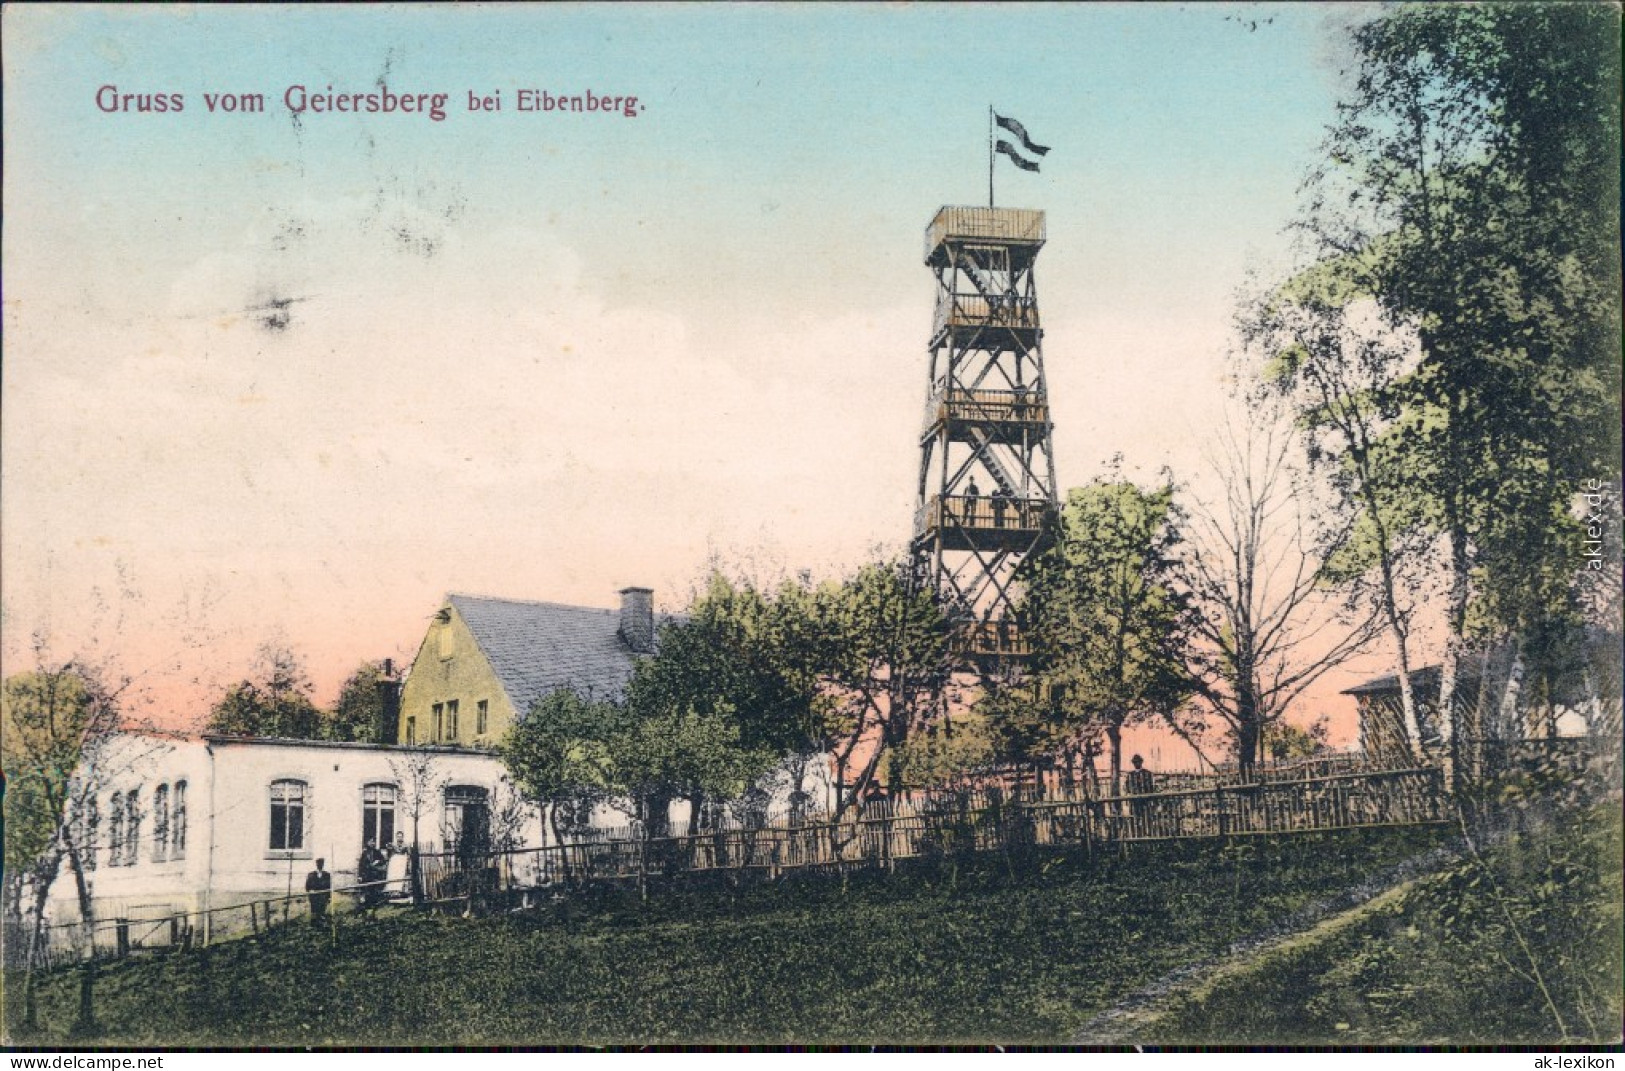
(930, 956)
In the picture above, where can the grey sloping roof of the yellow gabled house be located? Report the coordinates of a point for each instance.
(544, 648)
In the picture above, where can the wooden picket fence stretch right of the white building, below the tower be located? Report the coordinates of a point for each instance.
(974, 820)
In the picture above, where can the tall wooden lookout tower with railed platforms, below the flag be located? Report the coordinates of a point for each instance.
(987, 462)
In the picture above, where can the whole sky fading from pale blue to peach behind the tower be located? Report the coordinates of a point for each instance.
(547, 357)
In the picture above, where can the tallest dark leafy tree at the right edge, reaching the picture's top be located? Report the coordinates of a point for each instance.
(1473, 193)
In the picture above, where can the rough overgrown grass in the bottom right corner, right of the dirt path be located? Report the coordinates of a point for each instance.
(1522, 948)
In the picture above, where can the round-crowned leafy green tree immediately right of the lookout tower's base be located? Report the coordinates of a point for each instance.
(1106, 615)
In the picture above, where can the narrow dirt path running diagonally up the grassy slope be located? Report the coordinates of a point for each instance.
(1124, 1021)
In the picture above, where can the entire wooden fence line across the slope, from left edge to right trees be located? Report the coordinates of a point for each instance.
(942, 823)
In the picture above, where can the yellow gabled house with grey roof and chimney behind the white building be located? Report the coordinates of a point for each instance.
(485, 662)
